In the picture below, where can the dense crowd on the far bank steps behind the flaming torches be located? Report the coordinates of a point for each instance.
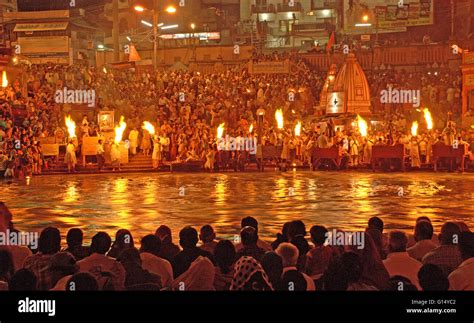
(186, 108)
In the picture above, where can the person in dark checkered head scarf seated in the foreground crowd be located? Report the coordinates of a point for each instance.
(249, 275)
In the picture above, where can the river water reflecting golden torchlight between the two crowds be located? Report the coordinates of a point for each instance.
(142, 202)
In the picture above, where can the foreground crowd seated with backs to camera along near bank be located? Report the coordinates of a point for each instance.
(294, 261)
